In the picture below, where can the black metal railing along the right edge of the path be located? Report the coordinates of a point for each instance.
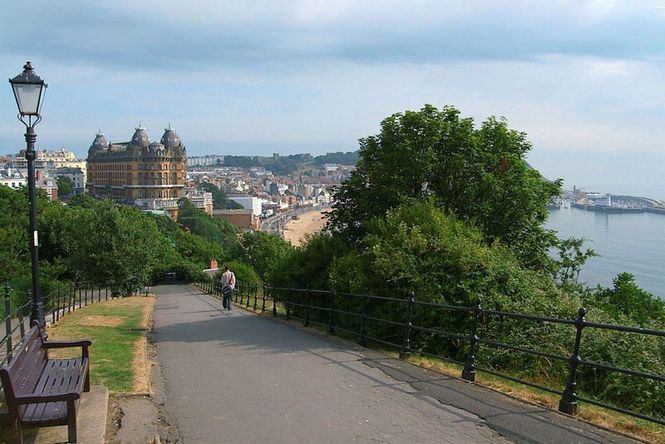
(335, 311)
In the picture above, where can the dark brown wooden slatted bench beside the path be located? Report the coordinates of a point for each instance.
(44, 392)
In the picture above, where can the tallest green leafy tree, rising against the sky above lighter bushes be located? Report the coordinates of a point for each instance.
(478, 174)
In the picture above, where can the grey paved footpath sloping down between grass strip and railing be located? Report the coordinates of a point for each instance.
(235, 377)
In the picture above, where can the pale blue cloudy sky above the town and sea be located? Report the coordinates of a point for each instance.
(585, 79)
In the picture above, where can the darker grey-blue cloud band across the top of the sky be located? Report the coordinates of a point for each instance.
(179, 35)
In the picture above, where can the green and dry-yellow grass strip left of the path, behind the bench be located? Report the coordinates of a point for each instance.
(117, 329)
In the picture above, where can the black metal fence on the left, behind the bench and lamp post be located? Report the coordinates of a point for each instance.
(66, 298)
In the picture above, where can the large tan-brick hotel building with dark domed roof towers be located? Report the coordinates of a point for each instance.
(150, 175)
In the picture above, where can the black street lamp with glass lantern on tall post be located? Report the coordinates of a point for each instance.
(29, 92)
